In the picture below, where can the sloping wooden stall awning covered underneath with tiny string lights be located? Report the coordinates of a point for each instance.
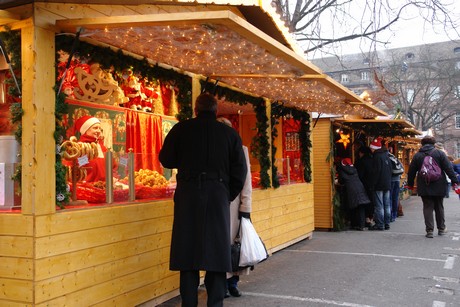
(223, 46)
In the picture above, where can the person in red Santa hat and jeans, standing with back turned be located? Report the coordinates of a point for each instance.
(381, 183)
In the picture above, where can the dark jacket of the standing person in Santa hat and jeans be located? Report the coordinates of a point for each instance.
(381, 169)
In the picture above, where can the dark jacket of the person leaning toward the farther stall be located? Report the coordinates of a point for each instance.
(354, 189)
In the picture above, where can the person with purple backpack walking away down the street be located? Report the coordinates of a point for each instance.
(428, 164)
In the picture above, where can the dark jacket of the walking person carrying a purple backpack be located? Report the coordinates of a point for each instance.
(436, 188)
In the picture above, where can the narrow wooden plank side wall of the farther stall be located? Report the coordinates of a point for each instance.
(322, 174)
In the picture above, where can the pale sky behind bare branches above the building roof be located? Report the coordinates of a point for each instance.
(319, 23)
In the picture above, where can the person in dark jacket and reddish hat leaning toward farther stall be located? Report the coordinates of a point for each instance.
(355, 195)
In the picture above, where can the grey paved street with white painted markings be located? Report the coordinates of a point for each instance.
(396, 267)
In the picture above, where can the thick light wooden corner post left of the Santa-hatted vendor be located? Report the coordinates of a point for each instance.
(38, 100)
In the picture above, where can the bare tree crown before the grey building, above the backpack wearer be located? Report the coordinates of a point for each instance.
(425, 84)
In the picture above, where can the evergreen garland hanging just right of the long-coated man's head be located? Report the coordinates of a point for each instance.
(259, 145)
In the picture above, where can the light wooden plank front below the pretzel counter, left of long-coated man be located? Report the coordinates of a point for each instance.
(112, 255)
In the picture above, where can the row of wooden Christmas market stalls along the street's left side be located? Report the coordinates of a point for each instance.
(138, 67)
